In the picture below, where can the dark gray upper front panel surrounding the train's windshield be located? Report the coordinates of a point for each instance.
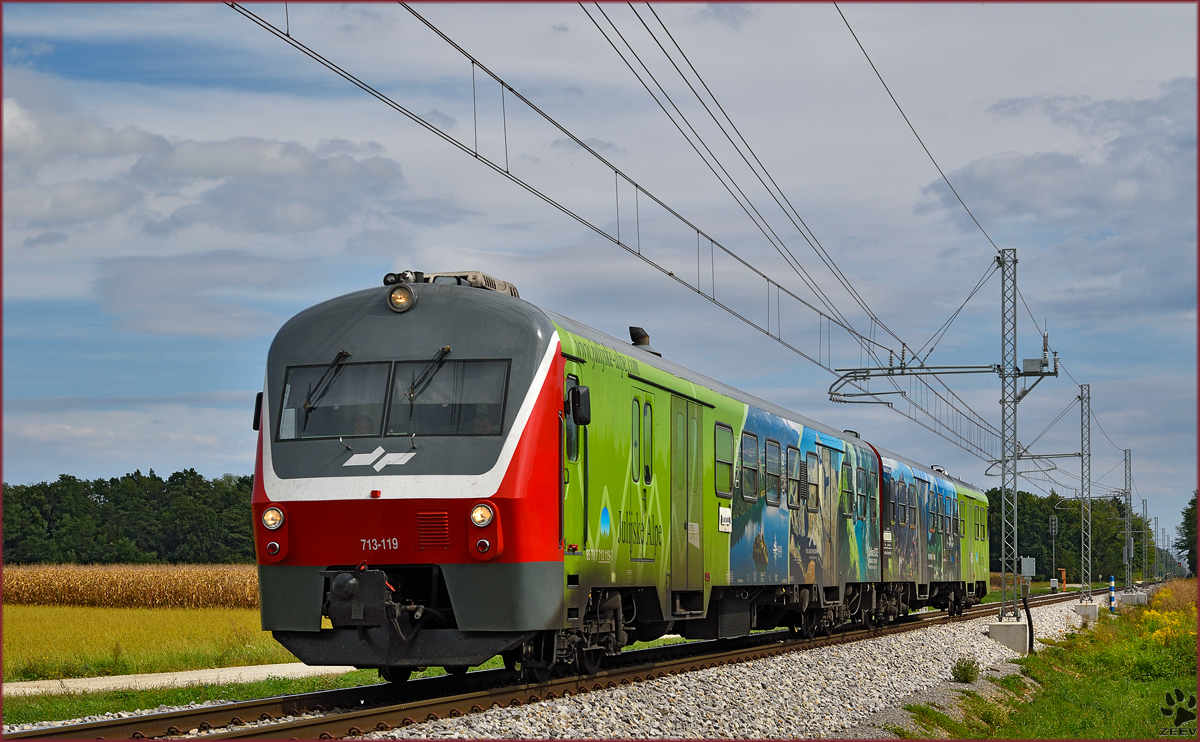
(477, 325)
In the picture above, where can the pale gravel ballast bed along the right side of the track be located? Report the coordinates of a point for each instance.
(818, 693)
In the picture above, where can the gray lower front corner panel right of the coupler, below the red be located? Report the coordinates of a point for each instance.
(521, 597)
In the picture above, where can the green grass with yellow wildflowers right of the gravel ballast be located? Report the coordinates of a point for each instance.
(1108, 683)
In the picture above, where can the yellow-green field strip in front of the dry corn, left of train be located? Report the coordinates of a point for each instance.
(57, 642)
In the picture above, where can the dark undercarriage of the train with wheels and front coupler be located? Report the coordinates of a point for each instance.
(401, 620)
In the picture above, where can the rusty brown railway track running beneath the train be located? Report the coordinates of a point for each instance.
(356, 711)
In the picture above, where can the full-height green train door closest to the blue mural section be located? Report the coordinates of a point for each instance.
(687, 508)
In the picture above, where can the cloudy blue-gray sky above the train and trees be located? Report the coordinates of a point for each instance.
(178, 183)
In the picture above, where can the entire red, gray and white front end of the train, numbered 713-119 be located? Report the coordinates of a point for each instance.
(405, 488)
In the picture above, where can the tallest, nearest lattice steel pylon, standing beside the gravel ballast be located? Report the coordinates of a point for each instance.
(1009, 375)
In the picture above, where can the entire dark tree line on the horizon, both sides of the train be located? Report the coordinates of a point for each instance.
(189, 519)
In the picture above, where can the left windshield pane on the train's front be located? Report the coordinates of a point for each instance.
(352, 404)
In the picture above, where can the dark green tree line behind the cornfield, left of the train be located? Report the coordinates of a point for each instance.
(134, 519)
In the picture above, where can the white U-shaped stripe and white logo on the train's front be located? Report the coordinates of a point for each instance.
(425, 487)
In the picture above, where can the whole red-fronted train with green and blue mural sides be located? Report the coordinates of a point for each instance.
(447, 474)
